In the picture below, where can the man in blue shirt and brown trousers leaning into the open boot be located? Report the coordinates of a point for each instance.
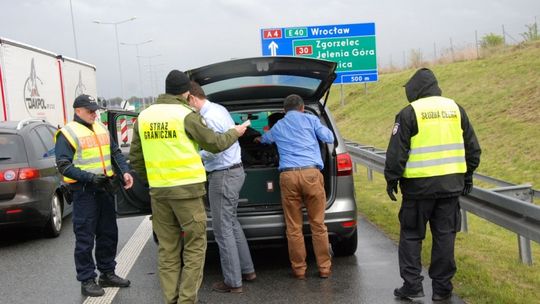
(302, 183)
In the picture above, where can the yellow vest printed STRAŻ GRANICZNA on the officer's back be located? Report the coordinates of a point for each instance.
(170, 156)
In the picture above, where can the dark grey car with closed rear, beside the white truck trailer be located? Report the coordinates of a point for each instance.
(30, 185)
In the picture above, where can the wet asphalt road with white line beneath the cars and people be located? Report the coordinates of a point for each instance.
(37, 270)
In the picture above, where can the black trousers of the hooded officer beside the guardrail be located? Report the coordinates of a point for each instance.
(444, 220)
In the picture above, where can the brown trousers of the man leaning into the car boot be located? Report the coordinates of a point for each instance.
(298, 189)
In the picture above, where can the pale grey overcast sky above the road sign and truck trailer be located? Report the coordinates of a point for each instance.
(189, 34)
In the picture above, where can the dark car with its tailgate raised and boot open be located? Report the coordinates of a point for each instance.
(254, 89)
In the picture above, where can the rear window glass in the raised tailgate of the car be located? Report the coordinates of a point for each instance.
(309, 84)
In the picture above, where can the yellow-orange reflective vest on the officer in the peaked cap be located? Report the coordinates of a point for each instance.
(92, 148)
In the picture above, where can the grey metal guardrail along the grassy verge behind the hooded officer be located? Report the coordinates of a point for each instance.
(509, 206)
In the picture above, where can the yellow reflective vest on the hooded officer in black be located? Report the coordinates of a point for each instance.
(438, 147)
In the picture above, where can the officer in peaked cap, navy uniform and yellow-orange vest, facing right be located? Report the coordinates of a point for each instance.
(83, 156)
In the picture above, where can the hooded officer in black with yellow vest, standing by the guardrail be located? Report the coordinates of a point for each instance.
(432, 154)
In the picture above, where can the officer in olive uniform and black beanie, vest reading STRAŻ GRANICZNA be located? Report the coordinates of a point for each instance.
(164, 149)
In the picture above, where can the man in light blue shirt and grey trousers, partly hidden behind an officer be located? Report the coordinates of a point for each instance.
(225, 179)
